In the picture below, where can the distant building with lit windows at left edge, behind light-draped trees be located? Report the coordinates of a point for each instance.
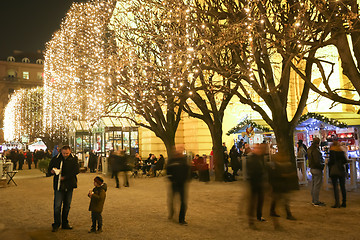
(20, 70)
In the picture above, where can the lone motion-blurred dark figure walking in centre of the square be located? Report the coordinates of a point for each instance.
(178, 171)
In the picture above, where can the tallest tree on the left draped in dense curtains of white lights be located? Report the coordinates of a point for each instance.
(76, 67)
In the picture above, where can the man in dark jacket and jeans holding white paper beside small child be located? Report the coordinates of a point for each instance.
(64, 167)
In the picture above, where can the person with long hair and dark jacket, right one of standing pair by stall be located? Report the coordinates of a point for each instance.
(337, 173)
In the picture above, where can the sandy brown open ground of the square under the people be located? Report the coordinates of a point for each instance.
(216, 211)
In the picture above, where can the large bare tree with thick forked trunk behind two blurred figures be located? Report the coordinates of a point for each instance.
(261, 46)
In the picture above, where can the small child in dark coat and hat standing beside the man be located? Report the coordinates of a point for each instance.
(97, 196)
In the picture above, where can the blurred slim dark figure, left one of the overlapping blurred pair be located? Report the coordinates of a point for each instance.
(256, 172)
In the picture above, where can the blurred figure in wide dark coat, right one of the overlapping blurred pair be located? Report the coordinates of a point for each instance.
(283, 179)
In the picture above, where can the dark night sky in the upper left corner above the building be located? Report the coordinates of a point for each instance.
(26, 25)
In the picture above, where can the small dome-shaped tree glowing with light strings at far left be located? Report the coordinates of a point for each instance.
(23, 115)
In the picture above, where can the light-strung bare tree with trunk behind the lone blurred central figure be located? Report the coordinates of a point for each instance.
(149, 69)
